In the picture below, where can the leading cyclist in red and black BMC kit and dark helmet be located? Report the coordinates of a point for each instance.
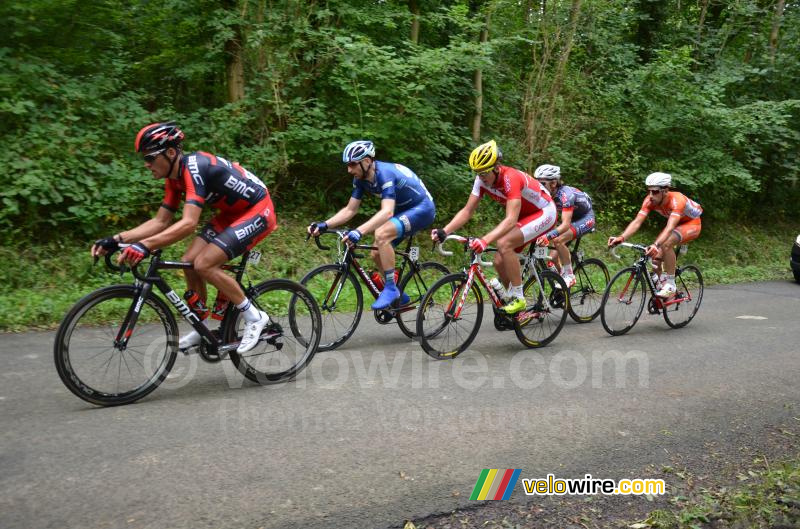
(246, 215)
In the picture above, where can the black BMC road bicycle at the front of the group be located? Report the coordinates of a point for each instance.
(118, 343)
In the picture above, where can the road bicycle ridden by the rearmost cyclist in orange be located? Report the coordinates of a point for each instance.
(624, 298)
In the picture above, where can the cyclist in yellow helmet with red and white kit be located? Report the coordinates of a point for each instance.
(530, 212)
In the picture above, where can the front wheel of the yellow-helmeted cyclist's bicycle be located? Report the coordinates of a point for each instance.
(442, 334)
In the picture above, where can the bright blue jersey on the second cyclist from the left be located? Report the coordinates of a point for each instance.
(394, 181)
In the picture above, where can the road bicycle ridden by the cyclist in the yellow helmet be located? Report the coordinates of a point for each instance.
(452, 310)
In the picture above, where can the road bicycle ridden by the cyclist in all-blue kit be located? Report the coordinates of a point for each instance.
(337, 289)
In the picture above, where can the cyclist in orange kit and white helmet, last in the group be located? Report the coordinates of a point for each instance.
(683, 225)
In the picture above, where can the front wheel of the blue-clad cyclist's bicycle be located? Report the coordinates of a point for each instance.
(340, 301)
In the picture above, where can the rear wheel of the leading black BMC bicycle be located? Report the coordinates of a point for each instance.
(288, 342)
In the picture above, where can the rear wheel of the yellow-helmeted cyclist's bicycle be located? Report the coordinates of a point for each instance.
(541, 321)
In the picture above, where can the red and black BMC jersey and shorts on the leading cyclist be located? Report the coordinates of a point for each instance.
(246, 214)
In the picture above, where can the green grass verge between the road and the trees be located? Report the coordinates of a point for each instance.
(39, 283)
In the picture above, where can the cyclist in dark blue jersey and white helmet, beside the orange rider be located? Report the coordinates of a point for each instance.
(577, 216)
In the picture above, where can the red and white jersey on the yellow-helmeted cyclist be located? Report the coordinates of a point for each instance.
(514, 184)
